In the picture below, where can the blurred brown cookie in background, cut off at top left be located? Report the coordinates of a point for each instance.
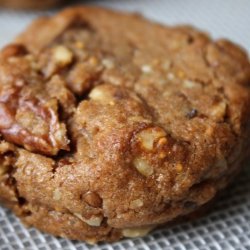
(29, 4)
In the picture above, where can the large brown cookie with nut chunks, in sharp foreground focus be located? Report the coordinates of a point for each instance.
(110, 130)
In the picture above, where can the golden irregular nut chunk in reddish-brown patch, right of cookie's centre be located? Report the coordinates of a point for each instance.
(149, 136)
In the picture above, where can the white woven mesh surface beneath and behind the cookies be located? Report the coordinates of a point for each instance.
(227, 226)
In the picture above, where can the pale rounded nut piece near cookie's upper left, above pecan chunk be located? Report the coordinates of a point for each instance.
(62, 55)
